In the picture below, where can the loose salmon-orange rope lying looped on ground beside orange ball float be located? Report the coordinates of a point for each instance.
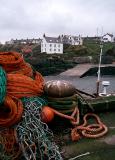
(95, 130)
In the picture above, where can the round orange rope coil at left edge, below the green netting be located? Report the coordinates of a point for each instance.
(10, 111)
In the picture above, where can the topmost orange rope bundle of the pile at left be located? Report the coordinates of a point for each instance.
(13, 62)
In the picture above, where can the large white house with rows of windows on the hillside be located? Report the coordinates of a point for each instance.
(51, 45)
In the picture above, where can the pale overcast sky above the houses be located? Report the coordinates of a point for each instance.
(32, 18)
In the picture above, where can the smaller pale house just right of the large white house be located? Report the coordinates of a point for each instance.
(72, 40)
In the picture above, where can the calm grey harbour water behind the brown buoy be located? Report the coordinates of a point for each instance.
(87, 84)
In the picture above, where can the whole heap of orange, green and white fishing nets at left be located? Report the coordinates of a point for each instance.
(23, 135)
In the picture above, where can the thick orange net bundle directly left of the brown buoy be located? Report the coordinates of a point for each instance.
(19, 85)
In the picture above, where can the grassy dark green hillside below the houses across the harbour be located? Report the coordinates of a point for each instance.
(73, 55)
